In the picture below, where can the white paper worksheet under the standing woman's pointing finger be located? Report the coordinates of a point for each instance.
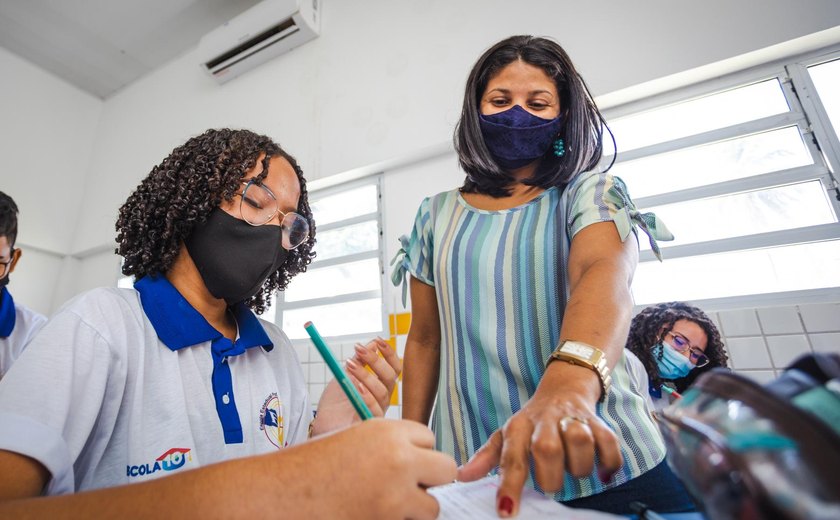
(477, 500)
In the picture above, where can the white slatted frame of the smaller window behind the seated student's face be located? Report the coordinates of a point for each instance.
(282, 305)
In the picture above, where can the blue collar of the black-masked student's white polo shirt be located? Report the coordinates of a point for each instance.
(179, 325)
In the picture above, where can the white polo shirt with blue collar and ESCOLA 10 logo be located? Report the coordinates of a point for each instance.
(126, 385)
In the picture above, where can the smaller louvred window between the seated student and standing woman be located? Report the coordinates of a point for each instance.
(341, 291)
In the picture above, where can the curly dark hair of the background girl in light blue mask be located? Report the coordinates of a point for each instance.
(645, 333)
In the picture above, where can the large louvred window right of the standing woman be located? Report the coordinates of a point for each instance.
(741, 171)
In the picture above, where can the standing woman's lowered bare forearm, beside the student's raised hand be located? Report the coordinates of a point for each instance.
(421, 371)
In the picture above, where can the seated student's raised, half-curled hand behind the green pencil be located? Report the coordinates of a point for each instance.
(375, 386)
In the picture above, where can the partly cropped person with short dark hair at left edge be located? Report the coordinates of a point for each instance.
(18, 323)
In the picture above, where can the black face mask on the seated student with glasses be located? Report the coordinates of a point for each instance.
(233, 257)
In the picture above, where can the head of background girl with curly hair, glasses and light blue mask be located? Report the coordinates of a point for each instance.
(675, 343)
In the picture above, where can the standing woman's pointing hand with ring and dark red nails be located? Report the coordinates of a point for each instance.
(558, 428)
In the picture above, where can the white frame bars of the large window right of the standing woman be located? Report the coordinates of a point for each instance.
(806, 112)
